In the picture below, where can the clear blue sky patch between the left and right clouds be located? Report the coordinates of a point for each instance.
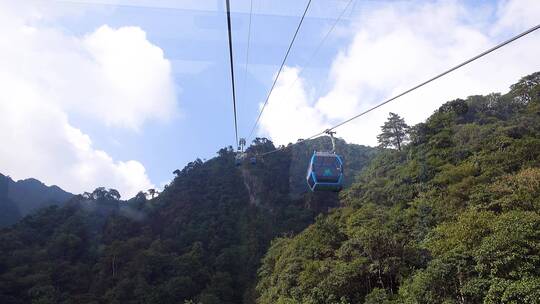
(195, 41)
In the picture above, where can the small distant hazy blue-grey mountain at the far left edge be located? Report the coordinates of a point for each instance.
(22, 197)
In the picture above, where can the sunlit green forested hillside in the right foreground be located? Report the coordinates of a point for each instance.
(451, 218)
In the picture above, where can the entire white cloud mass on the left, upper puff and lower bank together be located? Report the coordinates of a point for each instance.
(113, 76)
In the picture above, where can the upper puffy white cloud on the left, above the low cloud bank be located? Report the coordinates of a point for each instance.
(113, 75)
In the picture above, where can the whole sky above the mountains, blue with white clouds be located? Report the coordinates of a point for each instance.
(119, 93)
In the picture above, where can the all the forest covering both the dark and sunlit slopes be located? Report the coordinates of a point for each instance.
(445, 211)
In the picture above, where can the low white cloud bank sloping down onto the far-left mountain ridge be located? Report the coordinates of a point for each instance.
(39, 142)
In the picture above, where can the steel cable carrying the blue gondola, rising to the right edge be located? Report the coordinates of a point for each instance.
(498, 46)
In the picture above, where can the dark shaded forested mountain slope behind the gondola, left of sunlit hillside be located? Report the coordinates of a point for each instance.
(200, 240)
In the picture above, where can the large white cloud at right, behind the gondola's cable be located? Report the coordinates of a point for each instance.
(396, 46)
